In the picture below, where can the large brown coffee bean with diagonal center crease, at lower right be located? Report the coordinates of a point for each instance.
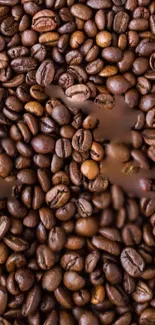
(132, 262)
